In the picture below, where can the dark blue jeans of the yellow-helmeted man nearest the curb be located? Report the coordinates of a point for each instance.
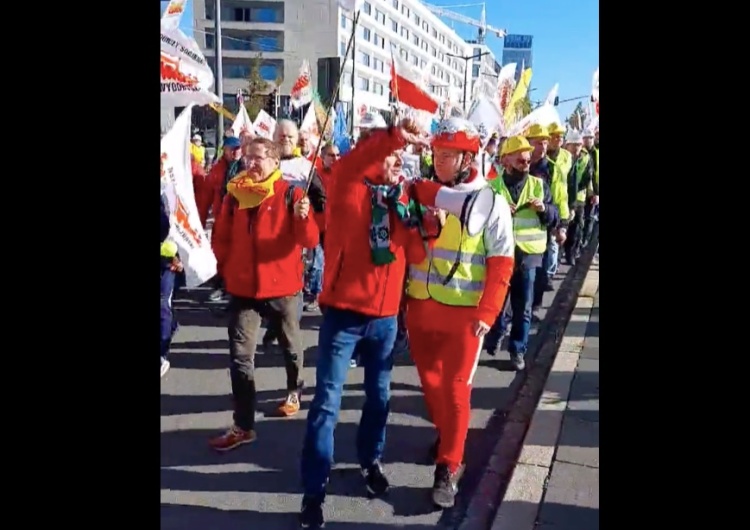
(516, 312)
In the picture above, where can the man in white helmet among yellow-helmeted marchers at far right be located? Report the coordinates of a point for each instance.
(579, 178)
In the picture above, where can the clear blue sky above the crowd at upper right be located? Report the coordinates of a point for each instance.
(566, 40)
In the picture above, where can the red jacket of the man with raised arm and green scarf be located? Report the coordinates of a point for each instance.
(351, 281)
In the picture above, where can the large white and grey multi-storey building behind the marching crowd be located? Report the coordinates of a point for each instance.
(287, 32)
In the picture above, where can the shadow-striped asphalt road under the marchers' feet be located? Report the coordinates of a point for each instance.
(256, 487)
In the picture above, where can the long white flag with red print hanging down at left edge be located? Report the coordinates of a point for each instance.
(185, 225)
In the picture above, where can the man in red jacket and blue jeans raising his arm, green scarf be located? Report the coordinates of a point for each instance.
(367, 249)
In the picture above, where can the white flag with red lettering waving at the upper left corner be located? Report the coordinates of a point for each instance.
(185, 75)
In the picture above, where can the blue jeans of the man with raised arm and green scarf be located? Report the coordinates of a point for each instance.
(340, 332)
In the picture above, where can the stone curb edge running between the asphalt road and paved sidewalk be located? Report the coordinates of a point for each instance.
(485, 508)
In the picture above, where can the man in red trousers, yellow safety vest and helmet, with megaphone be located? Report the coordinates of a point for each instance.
(454, 295)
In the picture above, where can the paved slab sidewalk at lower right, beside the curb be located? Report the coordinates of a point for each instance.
(555, 485)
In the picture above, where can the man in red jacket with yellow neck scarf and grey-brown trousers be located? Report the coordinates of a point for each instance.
(263, 226)
